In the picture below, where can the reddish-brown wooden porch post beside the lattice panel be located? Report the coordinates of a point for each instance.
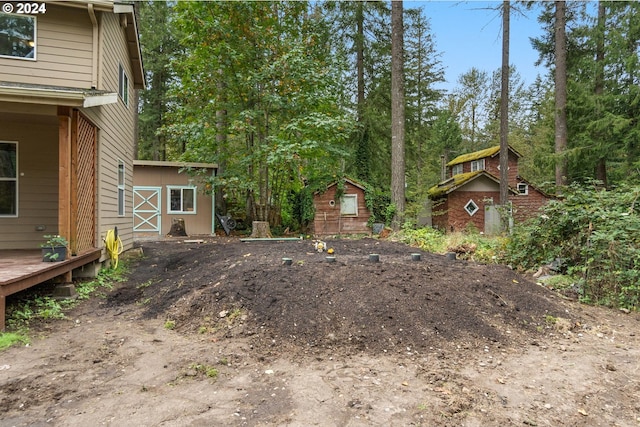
(64, 171)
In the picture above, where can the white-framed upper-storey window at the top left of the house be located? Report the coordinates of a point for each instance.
(18, 35)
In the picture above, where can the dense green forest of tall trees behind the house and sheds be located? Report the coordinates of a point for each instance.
(289, 97)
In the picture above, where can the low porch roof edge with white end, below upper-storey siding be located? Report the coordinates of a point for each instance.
(55, 95)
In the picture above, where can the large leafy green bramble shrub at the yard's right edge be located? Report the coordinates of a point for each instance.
(596, 235)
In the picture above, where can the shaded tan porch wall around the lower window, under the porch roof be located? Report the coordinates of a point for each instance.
(37, 180)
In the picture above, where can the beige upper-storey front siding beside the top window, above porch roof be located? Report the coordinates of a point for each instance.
(63, 51)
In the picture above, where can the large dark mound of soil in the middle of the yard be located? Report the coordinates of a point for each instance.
(232, 288)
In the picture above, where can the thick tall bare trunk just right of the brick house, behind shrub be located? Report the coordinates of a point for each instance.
(561, 94)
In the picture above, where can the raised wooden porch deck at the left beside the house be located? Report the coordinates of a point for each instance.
(22, 269)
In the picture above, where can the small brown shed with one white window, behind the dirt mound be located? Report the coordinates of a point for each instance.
(345, 215)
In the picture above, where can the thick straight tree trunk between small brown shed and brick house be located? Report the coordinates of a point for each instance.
(397, 114)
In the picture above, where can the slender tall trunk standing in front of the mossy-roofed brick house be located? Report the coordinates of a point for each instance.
(504, 108)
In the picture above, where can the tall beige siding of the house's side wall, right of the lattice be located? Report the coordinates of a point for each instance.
(115, 136)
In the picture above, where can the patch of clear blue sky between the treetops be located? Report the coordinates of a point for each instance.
(469, 34)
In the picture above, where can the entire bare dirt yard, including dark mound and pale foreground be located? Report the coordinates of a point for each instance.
(223, 333)
